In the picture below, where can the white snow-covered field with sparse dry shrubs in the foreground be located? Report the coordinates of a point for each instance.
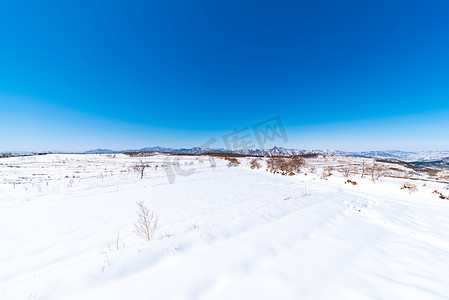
(67, 232)
